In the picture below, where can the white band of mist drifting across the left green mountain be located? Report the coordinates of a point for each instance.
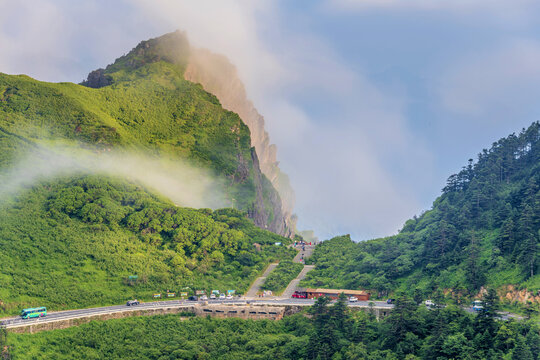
(182, 183)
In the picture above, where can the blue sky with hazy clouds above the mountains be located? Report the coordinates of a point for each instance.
(371, 103)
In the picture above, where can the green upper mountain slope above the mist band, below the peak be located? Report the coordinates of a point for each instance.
(146, 106)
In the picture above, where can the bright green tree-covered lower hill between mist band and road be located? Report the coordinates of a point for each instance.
(74, 243)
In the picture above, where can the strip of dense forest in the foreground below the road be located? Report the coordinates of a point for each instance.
(328, 332)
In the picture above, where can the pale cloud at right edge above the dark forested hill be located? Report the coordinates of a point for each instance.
(501, 79)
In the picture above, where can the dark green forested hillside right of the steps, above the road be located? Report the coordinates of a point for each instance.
(482, 230)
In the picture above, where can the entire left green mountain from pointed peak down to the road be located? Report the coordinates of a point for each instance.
(76, 222)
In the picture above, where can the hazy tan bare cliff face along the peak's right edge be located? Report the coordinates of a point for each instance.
(219, 77)
